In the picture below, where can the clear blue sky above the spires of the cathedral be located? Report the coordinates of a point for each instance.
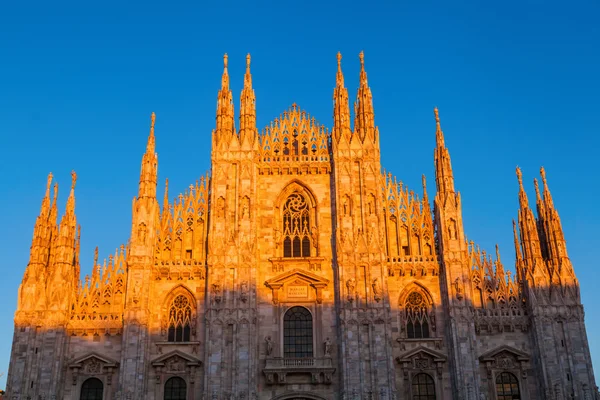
(516, 83)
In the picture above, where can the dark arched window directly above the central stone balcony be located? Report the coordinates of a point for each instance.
(297, 333)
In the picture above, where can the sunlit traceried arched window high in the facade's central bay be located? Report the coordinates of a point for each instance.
(296, 227)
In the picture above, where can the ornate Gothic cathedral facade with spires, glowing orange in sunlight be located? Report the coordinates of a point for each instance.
(296, 269)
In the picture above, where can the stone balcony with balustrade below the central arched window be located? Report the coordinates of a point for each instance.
(318, 370)
